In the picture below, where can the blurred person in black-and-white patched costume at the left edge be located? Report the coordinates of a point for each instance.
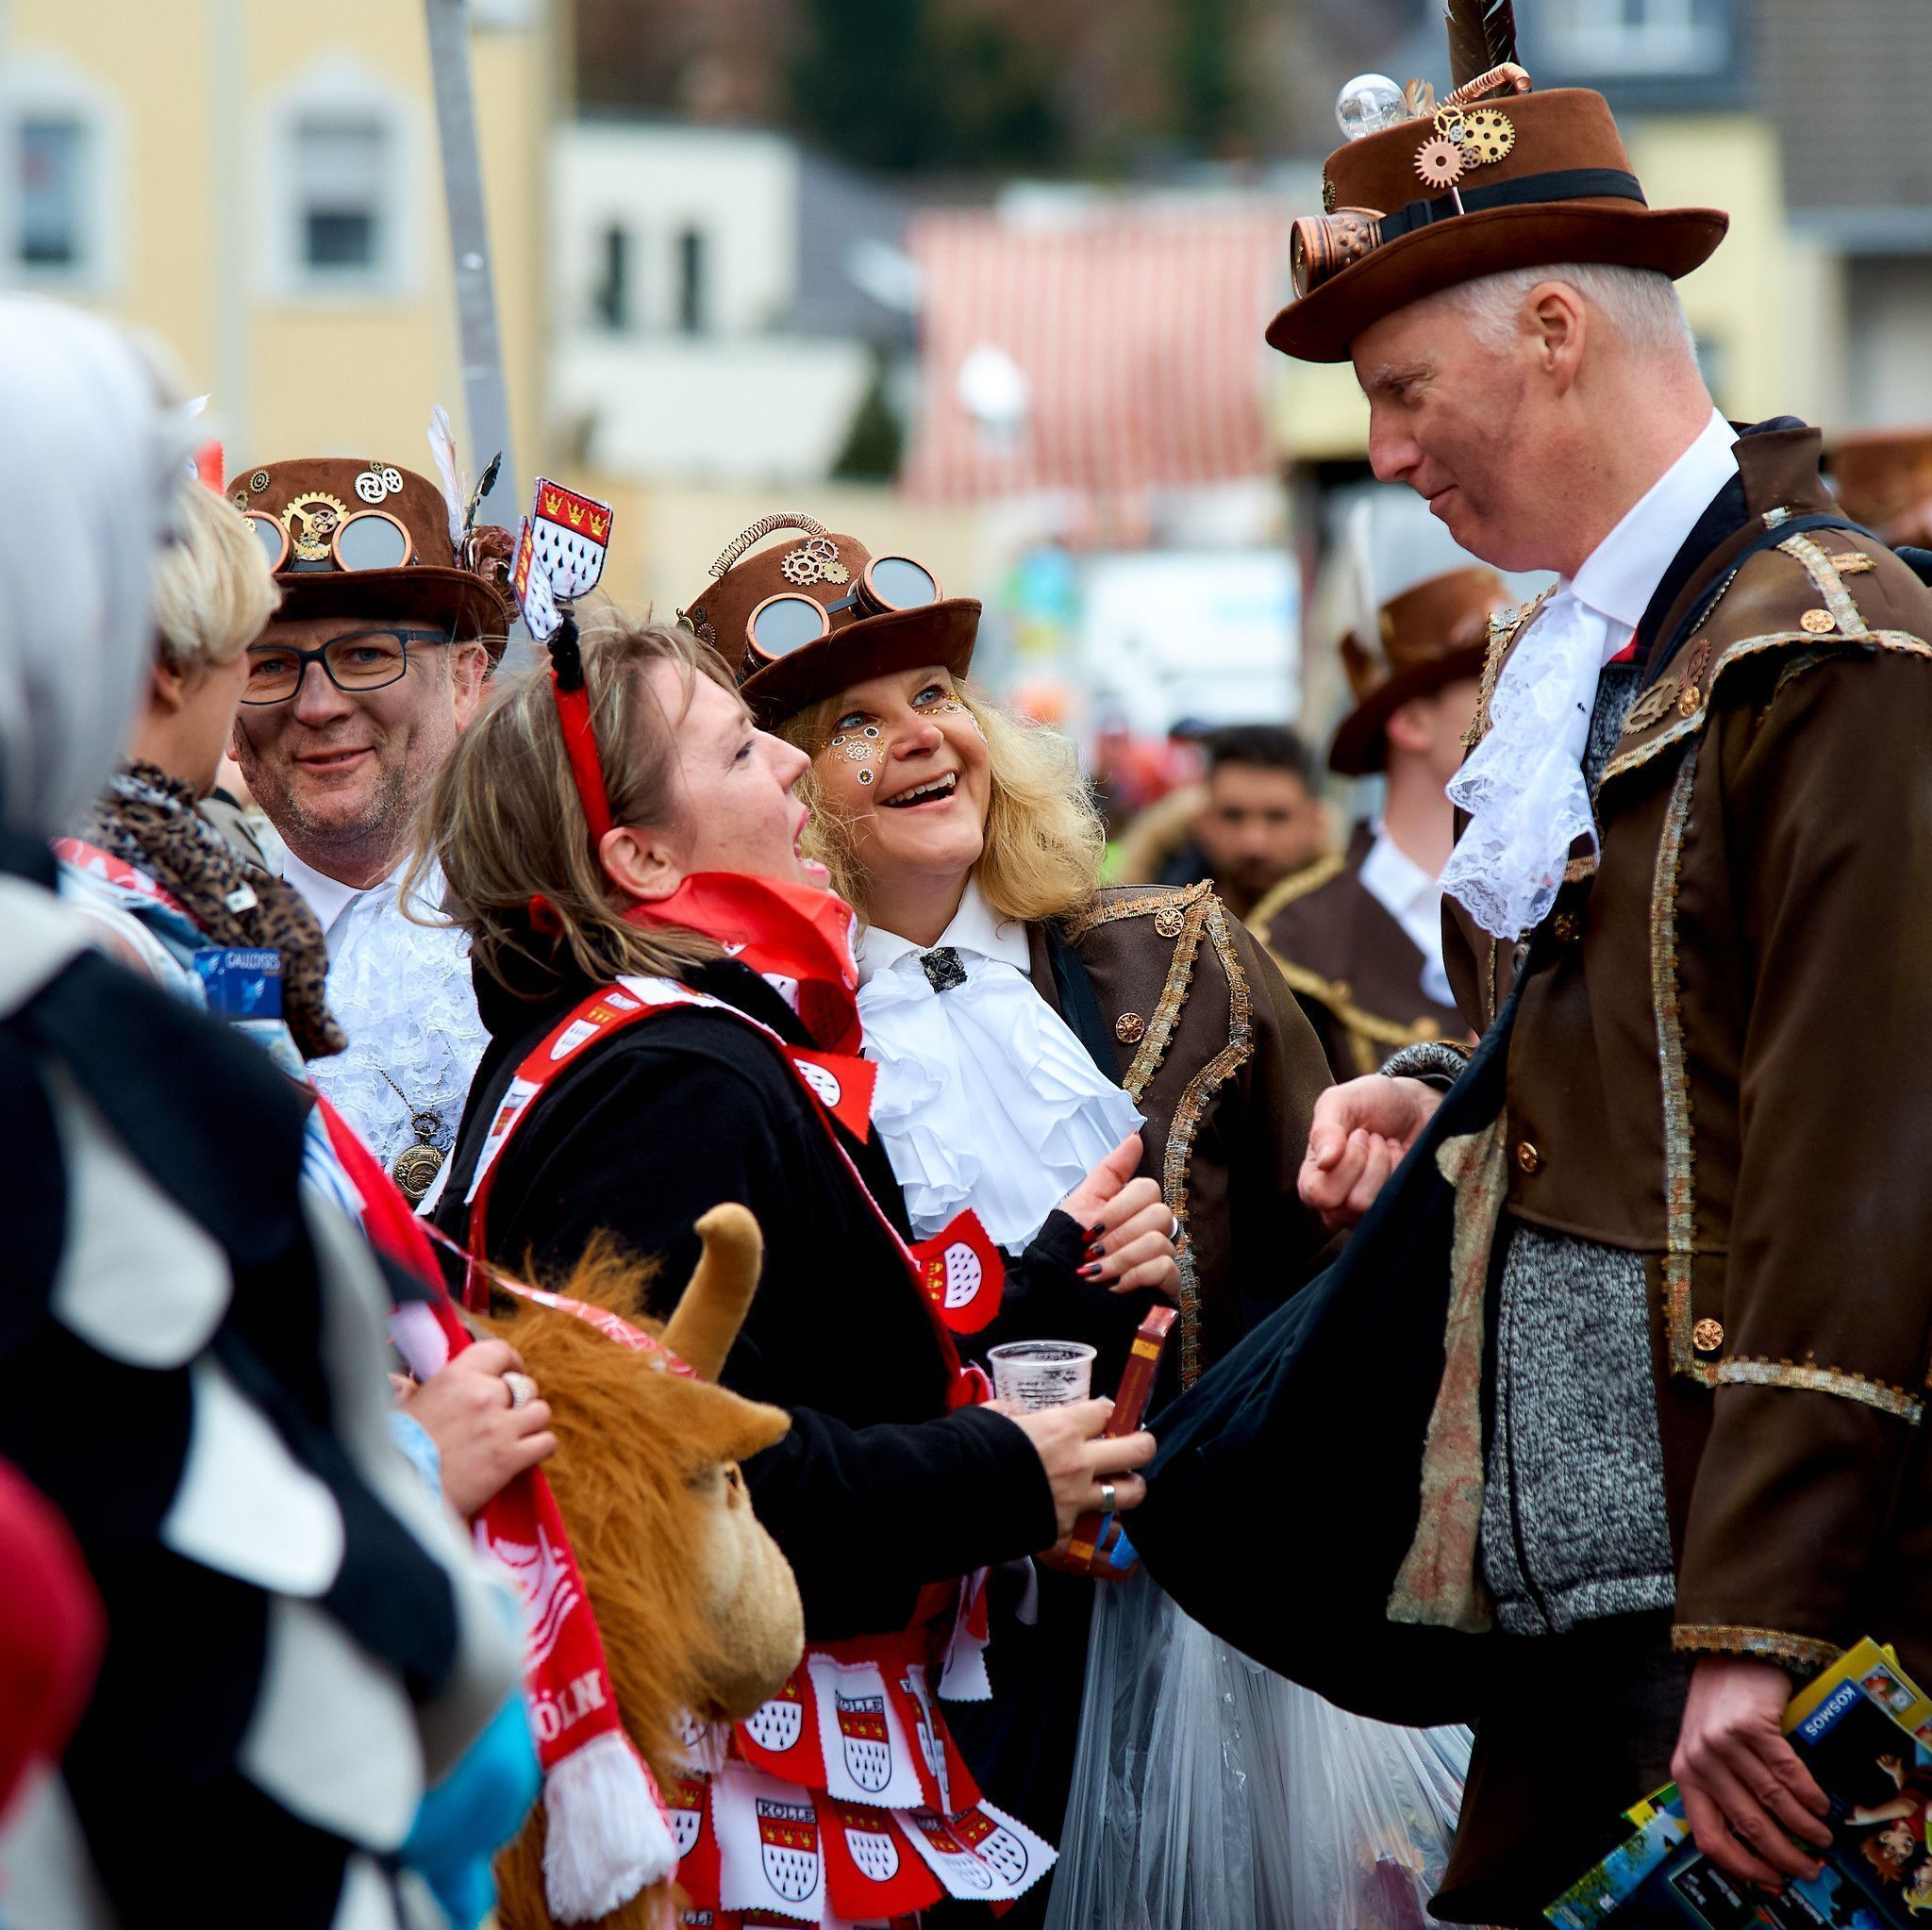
(190, 1369)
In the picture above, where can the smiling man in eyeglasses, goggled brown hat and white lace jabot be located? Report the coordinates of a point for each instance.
(387, 633)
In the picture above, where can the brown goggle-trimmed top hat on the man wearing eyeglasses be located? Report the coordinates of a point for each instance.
(374, 540)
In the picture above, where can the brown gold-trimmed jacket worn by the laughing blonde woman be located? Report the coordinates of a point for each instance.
(1218, 1056)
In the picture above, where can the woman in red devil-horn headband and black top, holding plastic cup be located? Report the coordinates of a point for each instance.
(673, 1023)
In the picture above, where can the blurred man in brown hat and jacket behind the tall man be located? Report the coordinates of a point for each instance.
(1359, 934)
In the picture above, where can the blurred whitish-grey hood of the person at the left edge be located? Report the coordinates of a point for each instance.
(90, 459)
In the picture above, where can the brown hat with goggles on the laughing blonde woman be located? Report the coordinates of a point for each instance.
(816, 613)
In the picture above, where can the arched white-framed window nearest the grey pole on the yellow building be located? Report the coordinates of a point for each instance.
(343, 186)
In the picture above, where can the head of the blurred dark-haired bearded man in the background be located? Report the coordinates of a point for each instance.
(1261, 818)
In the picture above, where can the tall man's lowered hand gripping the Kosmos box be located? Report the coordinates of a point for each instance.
(1742, 1782)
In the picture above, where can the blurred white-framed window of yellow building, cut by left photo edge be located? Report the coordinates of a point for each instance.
(61, 136)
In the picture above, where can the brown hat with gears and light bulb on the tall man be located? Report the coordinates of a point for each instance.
(1494, 177)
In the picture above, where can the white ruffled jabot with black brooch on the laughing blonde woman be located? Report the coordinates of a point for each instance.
(986, 1098)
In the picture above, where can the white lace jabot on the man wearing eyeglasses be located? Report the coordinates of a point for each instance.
(403, 996)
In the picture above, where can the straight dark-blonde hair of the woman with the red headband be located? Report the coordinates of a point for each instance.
(505, 824)
